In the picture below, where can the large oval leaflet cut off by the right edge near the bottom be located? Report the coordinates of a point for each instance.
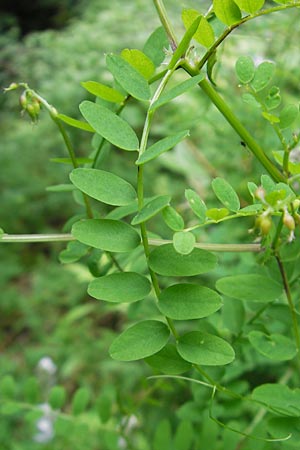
(278, 397)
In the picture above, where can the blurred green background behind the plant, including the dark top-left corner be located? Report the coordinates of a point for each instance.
(44, 308)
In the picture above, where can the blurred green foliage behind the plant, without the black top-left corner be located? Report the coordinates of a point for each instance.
(45, 311)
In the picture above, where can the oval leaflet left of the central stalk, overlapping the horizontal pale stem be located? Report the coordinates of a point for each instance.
(106, 234)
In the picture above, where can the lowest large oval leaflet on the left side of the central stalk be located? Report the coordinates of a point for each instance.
(140, 341)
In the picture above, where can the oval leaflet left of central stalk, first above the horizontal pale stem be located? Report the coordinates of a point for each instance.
(103, 186)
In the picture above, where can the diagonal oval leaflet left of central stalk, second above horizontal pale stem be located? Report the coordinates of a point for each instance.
(109, 125)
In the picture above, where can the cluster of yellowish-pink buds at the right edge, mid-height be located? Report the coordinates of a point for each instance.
(286, 207)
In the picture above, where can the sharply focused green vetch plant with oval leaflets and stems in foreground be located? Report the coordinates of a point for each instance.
(192, 328)
